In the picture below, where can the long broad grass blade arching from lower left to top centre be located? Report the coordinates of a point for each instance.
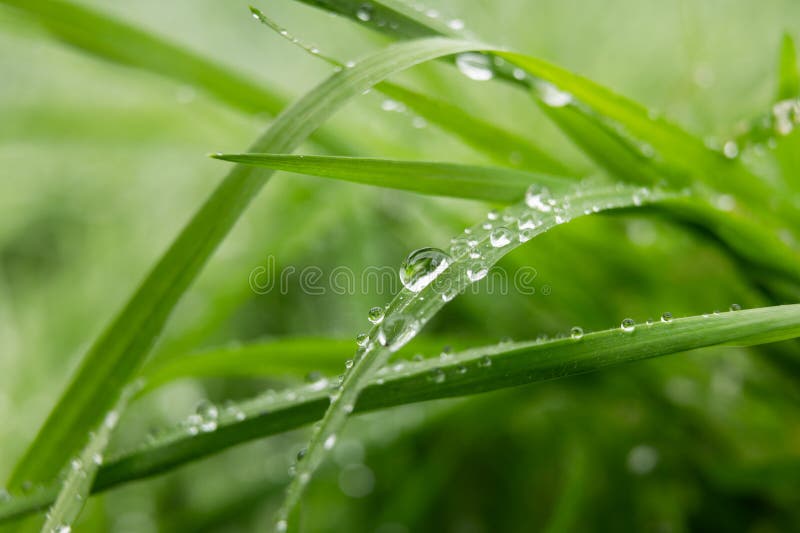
(116, 356)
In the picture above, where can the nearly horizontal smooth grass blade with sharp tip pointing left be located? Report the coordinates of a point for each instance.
(494, 184)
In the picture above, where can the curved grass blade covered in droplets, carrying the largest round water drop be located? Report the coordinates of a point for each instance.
(410, 310)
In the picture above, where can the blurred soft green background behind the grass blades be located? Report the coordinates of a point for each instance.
(102, 165)
